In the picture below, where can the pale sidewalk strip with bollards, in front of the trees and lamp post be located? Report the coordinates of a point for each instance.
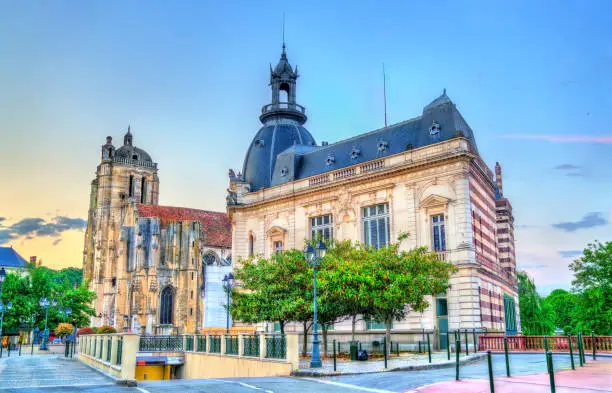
(405, 362)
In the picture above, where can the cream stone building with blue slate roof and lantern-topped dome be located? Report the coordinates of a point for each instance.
(423, 177)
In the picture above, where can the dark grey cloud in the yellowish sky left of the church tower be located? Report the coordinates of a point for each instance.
(30, 227)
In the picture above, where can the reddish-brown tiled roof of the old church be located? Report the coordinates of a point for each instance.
(216, 225)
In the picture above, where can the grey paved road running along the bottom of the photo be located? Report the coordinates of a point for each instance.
(50, 375)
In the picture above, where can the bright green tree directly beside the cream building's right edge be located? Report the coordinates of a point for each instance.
(536, 315)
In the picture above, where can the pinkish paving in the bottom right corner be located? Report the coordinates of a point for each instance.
(596, 376)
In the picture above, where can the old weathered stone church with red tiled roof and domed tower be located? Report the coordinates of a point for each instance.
(155, 269)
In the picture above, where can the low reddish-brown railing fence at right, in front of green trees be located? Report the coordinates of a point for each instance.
(544, 343)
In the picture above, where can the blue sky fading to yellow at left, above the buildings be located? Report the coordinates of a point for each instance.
(533, 80)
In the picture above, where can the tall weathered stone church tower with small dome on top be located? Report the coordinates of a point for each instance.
(125, 176)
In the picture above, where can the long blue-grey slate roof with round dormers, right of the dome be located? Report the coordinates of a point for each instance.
(440, 121)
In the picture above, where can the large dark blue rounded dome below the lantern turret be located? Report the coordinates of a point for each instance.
(273, 138)
